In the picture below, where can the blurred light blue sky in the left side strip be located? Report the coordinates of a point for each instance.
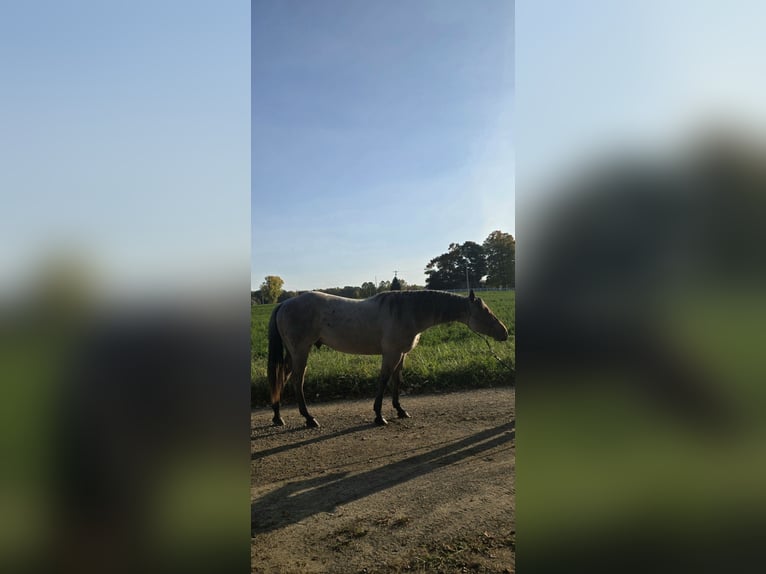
(125, 139)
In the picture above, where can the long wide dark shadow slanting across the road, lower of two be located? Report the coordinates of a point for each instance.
(302, 499)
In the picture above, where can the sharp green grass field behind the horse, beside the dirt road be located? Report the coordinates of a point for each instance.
(448, 357)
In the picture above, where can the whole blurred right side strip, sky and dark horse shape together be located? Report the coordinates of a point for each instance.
(640, 286)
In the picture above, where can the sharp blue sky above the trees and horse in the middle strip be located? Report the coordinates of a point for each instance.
(381, 133)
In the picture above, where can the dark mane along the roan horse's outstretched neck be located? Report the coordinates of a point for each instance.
(440, 306)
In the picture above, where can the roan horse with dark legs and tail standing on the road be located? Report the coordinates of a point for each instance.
(387, 324)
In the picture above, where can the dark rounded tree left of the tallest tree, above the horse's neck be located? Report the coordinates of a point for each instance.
(448, 270)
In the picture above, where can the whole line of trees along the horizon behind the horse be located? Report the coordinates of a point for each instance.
(489, 264)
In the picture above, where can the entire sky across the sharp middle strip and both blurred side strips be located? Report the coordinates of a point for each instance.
(341, 140)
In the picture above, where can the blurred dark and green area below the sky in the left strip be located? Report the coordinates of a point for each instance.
(125, 432)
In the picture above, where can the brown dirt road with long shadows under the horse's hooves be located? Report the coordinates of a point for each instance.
(434, 493)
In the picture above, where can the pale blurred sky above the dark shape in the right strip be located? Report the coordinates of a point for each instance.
(596, 75)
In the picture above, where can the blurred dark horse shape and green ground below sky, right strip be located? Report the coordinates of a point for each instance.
(640, 319)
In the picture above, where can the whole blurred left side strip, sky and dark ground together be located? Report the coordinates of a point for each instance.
(124, 286)
